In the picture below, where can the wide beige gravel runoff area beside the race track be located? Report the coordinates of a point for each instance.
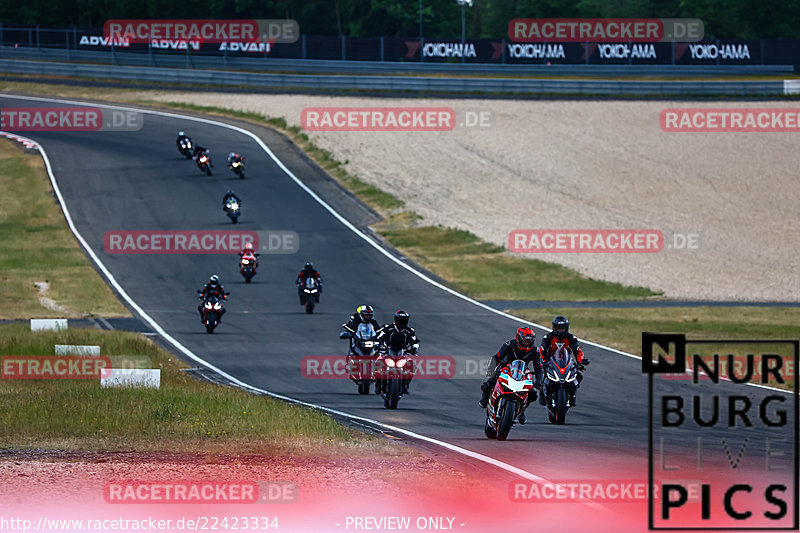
(559, 164)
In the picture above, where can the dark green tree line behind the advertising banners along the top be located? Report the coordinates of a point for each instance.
(400, 18)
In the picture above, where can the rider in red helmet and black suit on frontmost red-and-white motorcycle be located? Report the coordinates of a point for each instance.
(522, 346)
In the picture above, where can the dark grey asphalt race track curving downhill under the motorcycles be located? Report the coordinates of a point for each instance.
(138, 181)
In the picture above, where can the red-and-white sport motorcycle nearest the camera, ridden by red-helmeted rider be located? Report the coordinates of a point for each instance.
(508, 400)
